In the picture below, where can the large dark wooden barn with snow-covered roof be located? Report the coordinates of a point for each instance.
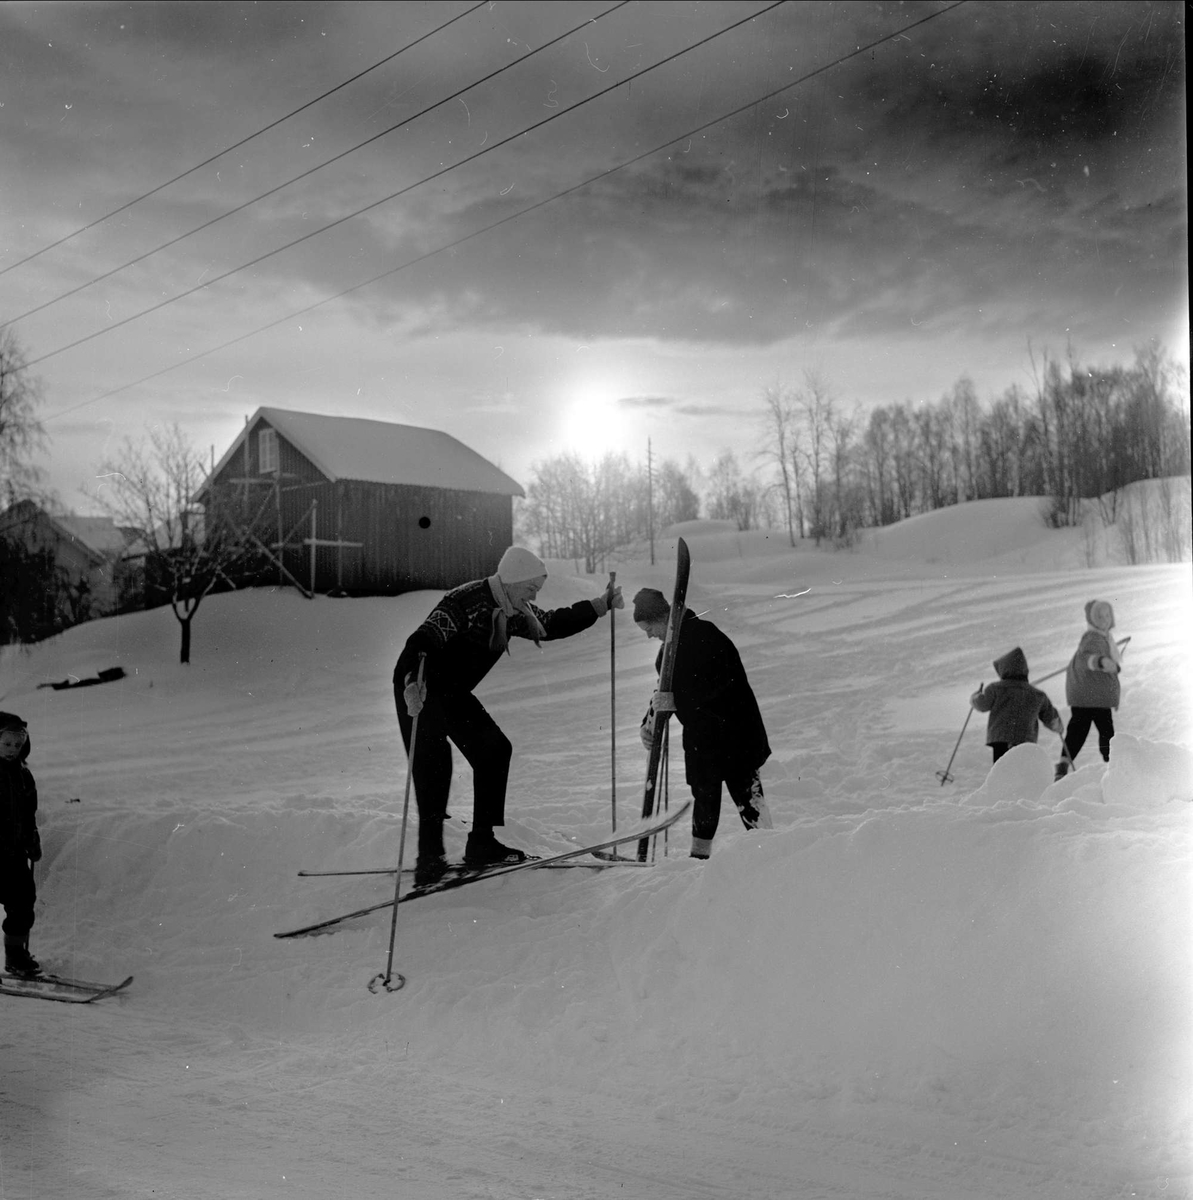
(351, 506)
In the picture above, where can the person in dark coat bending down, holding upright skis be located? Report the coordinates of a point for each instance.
(724, 739)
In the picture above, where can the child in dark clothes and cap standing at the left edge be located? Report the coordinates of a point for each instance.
(20, 845)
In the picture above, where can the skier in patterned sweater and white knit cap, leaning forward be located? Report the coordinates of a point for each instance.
(463, 638)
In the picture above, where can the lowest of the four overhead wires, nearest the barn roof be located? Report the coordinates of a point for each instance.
(512, 217)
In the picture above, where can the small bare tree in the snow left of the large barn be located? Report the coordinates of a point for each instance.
(151, 487)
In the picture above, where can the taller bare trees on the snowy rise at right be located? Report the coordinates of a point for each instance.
(1081, 434)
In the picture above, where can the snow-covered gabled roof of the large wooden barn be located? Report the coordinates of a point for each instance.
(380, 453)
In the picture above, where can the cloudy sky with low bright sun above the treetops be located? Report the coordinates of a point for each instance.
(577, 226)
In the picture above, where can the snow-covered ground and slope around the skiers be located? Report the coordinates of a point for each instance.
(914, 992)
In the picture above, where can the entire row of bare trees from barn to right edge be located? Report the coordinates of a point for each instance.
(828, 471)
